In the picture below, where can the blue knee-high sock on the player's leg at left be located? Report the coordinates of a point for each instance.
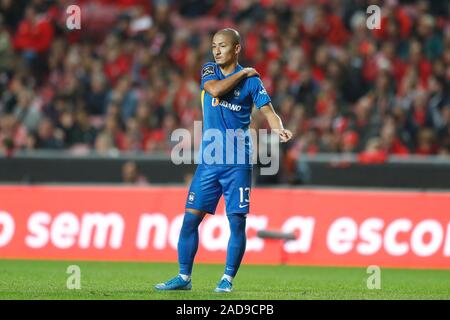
(188, 242)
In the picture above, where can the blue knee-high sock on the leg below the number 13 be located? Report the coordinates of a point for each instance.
(236, 243)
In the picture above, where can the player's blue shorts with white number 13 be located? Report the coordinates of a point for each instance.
(210, 182)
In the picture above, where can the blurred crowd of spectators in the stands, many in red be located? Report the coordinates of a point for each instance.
(130, 75)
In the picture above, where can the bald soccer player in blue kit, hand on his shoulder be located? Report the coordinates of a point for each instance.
(228, 93)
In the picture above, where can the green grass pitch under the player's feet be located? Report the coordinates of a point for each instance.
(24, 279)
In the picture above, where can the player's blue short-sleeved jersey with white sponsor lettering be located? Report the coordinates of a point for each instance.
(226, 138)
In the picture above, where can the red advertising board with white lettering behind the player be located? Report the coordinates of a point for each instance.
(331, 227)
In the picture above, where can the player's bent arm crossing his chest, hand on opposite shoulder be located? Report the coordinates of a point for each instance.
(216, 87)
